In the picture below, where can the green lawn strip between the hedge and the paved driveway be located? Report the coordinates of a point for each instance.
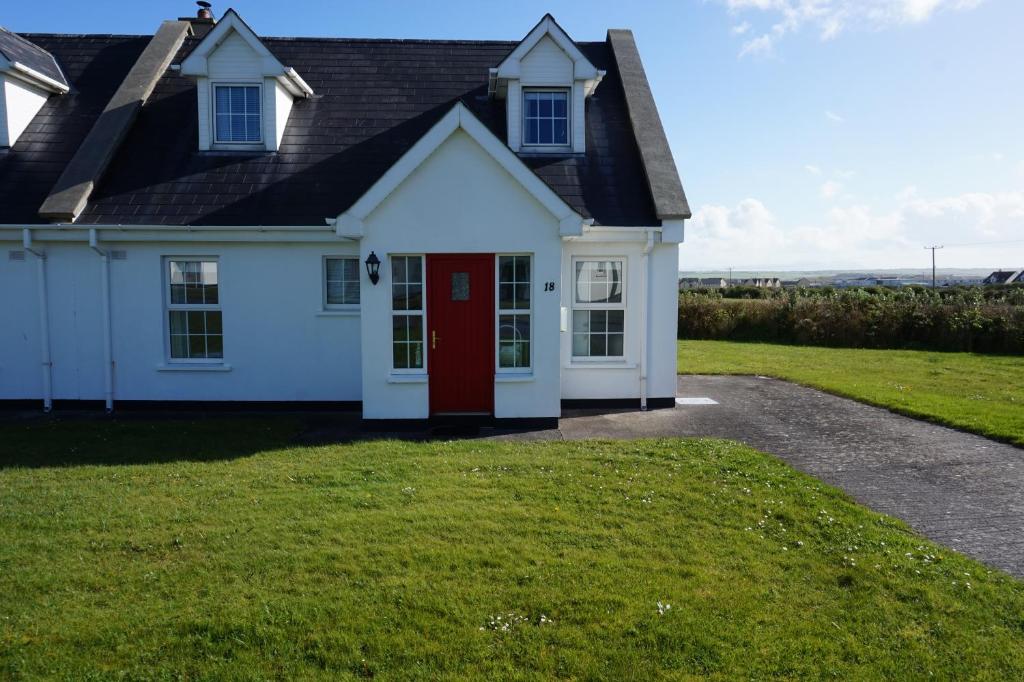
(980, 394)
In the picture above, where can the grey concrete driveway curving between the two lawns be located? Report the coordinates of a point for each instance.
(960, 490)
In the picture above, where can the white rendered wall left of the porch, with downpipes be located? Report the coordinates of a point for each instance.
(276, 344)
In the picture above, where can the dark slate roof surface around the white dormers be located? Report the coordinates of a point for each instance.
(375, 99)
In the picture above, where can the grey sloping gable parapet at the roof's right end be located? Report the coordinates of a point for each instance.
(660, 167)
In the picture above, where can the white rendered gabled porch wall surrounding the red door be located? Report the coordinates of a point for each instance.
(460, 200)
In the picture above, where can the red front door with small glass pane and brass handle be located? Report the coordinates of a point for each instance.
(461, 333)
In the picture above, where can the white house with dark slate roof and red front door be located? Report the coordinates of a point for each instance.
(414, 229)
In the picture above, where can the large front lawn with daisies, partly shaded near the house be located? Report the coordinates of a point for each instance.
(219, 549)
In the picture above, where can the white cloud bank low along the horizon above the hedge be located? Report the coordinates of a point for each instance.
(751, 236)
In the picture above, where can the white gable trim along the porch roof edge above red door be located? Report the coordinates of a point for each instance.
(351, 224)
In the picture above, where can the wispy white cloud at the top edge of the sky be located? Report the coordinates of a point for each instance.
(830, 18)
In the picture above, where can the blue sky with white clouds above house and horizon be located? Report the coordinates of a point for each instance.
(809, 134)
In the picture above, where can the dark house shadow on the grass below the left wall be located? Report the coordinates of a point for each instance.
(83, 441)
